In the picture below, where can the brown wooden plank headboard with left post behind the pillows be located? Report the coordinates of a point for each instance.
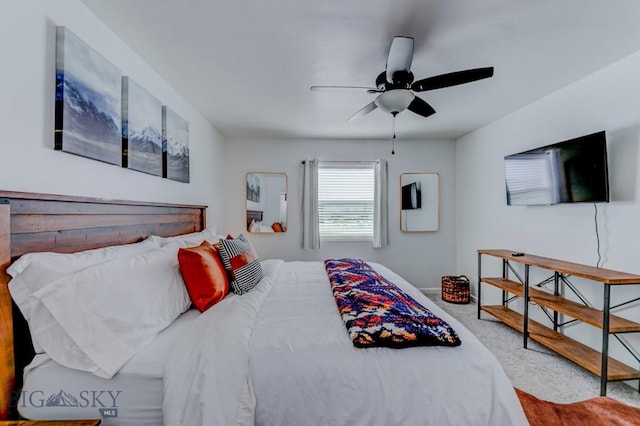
(39, 222)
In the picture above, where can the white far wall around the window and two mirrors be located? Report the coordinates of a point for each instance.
(422, 258)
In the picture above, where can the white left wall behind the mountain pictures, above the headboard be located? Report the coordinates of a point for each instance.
(29, 163)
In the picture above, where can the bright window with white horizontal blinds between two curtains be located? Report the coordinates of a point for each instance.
(345, 200)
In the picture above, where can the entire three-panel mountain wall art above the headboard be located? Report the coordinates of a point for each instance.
(103, 115)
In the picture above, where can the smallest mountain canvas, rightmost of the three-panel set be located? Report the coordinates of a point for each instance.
(175, 144)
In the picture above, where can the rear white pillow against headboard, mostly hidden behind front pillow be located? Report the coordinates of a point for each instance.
(35, 270)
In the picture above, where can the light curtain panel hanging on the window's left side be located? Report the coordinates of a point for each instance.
(310, 223)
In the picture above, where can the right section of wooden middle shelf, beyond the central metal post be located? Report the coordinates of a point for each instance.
(581, 312)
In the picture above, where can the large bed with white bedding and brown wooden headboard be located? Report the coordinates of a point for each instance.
(279, 354)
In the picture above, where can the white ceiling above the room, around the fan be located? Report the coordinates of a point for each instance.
(247, 65)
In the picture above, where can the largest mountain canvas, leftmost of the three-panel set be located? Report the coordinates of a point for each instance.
(88, 101)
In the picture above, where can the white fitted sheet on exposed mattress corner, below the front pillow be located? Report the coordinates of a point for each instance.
(139, 382)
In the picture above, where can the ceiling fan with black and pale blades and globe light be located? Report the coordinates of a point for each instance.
(395, 86)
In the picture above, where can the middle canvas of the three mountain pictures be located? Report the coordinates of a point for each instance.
(141, 129)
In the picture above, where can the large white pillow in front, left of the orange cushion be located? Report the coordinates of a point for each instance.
(97, 318)
